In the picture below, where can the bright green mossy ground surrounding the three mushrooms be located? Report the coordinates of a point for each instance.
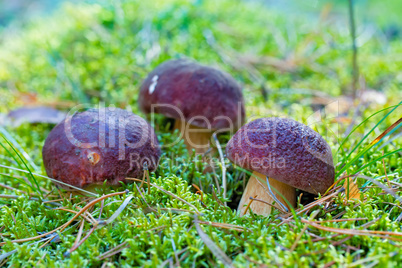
(100, 52)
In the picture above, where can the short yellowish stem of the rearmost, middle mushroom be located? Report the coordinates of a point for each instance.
(194, 137)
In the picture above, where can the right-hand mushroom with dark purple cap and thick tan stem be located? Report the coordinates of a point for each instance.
(285, 155)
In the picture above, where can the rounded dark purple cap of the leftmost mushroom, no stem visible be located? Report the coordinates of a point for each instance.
(90, 147)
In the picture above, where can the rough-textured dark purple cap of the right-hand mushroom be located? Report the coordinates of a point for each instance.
(285, 150)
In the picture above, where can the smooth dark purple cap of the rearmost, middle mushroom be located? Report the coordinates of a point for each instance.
(195, 90)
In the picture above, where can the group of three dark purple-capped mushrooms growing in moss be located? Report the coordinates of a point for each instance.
(105, 146)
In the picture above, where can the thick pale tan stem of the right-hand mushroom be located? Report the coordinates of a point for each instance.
(255, 190)
